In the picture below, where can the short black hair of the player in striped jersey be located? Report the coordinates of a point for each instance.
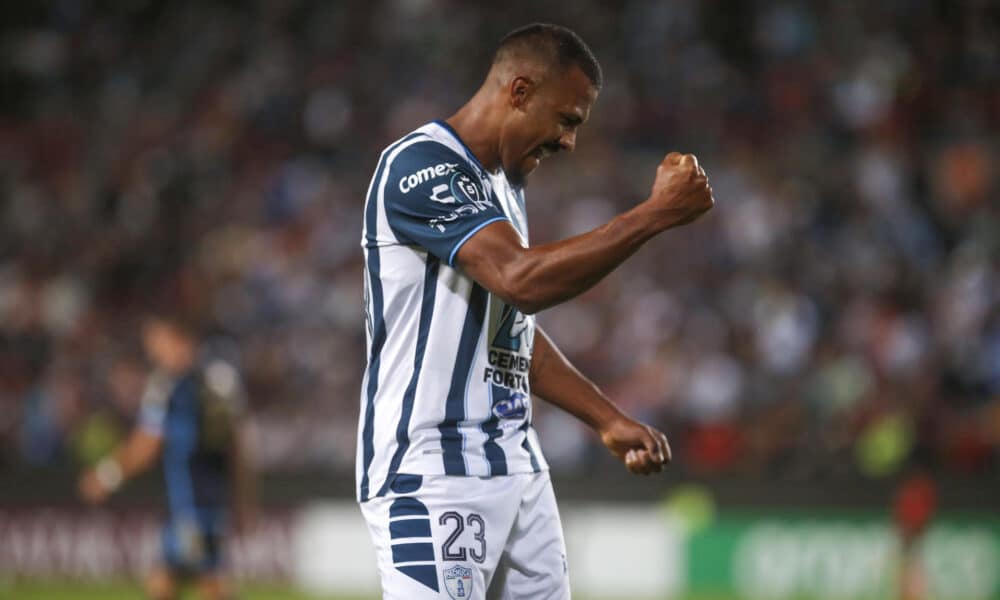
(555, 45)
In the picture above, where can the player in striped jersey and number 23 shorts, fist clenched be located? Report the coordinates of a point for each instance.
(451, 478)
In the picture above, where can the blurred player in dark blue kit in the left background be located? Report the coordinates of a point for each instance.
(189, 418)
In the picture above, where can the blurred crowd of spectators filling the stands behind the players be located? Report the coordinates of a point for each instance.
(837, 313)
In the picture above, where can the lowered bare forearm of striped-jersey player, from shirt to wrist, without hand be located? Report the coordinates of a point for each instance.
(557, 381)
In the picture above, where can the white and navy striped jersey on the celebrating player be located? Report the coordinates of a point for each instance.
(446, 387)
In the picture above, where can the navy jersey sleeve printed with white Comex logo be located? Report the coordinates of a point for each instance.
(434, 199)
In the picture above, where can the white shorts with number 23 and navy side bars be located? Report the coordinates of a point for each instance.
(441, 536)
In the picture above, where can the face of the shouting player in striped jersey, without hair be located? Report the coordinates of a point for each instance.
(544, 121)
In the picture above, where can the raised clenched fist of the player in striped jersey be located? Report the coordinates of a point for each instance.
(680, 192)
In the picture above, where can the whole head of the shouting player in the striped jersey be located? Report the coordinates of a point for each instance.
(546, 79)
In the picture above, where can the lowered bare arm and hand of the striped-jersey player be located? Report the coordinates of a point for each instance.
(642, 448)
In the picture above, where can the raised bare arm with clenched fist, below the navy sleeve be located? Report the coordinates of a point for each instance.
(539, 277)
